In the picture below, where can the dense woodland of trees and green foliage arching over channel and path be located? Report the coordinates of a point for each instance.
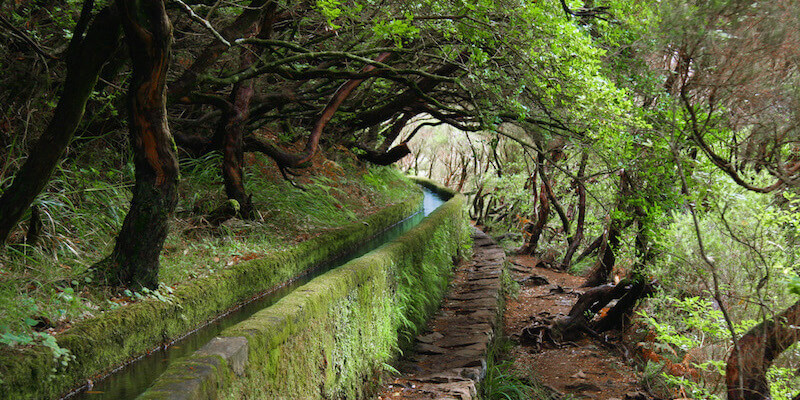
(651, 142)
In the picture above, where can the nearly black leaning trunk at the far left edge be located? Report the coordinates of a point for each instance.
(89, 55)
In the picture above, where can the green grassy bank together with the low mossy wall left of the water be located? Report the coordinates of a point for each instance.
(206, 268)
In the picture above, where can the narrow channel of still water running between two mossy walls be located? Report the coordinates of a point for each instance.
(134, 378)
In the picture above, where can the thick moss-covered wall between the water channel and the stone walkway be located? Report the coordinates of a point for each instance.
(331, 337)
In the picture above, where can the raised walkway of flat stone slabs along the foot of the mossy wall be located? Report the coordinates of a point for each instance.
(448, 360)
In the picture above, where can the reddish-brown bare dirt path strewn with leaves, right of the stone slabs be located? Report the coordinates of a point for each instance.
(582, 370)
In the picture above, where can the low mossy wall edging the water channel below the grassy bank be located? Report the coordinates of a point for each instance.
(116, 336)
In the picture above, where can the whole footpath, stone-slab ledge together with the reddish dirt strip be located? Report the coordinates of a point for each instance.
(449, 359)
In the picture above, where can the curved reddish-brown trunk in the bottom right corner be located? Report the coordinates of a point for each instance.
(745, 374)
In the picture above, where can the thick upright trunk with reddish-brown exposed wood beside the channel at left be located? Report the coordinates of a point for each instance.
(135, 260)
